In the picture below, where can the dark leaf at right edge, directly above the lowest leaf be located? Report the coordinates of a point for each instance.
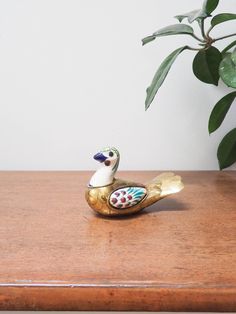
(219, 111)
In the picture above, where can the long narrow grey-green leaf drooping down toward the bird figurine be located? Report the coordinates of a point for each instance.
(161, 75)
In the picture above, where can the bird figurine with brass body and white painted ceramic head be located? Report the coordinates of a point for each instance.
(115, 197)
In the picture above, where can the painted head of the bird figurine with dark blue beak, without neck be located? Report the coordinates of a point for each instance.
(109, 156)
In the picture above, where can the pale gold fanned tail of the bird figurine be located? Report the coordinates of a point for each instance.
(168, 182)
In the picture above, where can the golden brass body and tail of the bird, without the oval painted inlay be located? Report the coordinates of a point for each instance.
(160, 187)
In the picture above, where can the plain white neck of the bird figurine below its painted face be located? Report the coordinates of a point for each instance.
(102, 177)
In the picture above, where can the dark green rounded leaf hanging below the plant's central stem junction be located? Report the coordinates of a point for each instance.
(206, 64)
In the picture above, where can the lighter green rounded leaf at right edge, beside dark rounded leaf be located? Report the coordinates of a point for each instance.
(227, 71)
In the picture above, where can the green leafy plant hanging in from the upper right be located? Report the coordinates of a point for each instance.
(209, 65)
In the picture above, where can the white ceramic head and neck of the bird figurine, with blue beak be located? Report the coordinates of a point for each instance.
(109, 158)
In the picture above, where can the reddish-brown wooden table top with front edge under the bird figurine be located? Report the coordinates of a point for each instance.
(56, 254)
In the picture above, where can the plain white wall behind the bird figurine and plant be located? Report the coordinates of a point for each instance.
(73, 76)
